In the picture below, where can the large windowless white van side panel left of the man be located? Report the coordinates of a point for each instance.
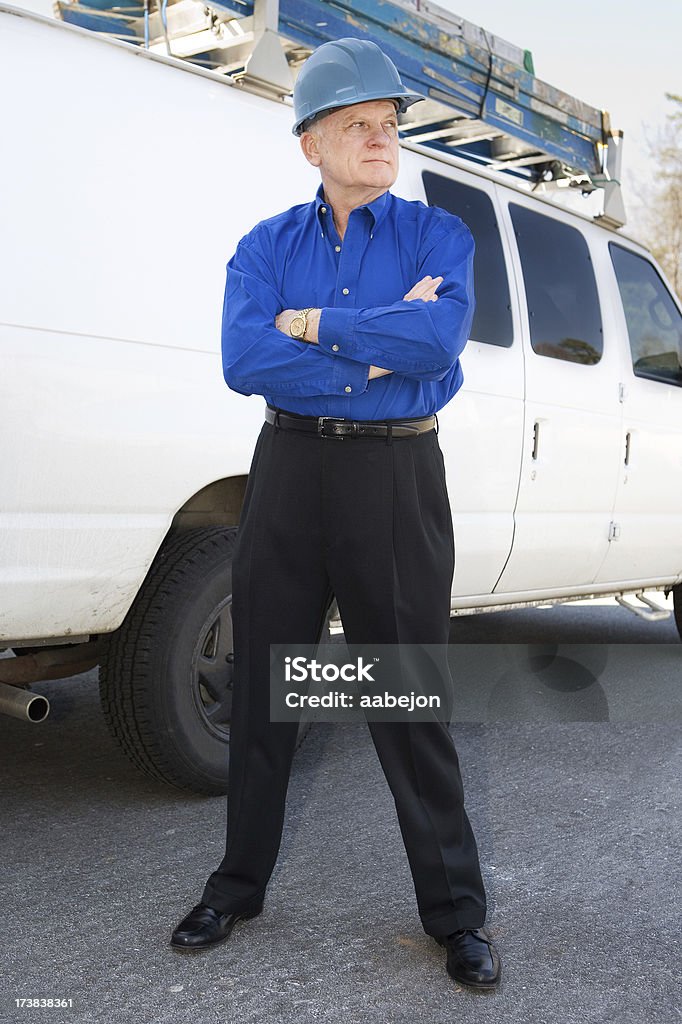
(114, 408)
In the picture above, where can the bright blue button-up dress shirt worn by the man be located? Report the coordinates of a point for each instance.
(297, 260)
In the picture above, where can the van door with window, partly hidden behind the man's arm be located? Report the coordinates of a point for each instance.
(481, 430)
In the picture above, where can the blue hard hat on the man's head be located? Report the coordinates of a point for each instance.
(344, 72)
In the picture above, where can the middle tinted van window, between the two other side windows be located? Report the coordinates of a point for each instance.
(561, 288)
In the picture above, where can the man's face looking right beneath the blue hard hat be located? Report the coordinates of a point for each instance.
(356, 147)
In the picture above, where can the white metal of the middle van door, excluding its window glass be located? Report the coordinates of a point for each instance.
(568, 490)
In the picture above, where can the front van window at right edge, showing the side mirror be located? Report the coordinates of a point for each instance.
(655, 323)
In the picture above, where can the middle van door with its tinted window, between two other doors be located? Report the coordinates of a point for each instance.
(573, 413)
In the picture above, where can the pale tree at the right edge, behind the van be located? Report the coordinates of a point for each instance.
(664, 223)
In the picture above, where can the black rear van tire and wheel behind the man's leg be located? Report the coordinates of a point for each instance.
(173, 643)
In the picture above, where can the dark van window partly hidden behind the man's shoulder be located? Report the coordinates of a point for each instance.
(493, 322)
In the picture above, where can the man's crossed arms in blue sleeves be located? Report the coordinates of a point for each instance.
(346, 348)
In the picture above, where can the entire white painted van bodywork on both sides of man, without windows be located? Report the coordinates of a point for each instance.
(138, 177)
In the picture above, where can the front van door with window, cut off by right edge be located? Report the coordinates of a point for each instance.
(648, 515)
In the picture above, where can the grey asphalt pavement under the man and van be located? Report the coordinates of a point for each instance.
(573, 793)
